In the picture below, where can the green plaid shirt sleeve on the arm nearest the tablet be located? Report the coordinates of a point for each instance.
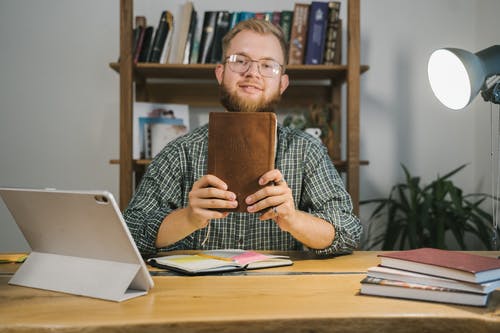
(159, 193)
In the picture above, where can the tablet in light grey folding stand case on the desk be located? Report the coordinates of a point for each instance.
(80, 244)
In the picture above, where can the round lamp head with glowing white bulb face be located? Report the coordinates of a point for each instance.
(457, 76)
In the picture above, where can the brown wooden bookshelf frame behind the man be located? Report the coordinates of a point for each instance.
(195, 84)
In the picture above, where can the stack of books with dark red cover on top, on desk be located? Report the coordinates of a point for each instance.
(434, 275)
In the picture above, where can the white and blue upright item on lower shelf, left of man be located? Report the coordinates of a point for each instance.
(155, 125)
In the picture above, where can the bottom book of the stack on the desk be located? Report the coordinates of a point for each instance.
(398, 289)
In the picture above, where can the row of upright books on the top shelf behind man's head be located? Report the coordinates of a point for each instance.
(312, 31)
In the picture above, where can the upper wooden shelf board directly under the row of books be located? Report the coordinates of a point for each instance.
(195, 84)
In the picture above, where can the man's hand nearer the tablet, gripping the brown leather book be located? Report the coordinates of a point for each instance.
(208, 195)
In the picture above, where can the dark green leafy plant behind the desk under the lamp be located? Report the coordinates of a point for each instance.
(415, 216)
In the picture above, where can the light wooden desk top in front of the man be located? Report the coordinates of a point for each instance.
(325, 299)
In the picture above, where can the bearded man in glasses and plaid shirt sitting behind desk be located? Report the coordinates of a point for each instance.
(177, 205)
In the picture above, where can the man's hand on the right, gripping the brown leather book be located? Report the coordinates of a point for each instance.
(276, 201)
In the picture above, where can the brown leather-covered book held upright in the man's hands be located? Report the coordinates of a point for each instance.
(241, 148)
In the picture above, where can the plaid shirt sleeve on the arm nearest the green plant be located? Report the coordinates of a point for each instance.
(326, 196)
